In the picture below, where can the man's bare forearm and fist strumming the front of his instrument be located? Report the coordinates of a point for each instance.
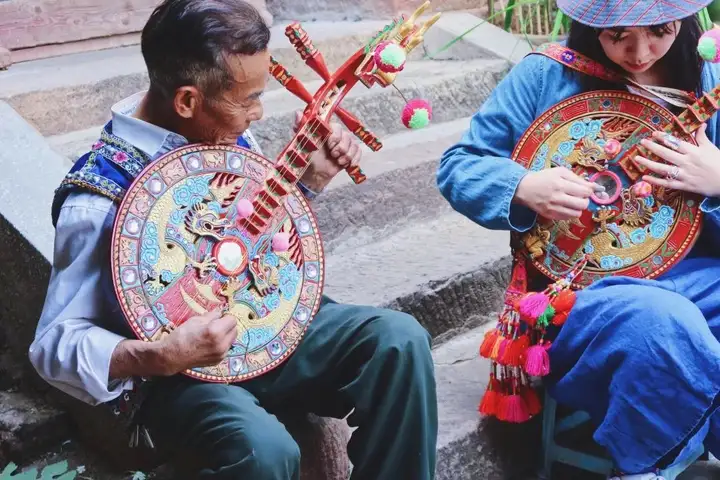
(200, 342)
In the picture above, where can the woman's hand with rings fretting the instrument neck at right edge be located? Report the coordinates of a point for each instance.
(692, 168)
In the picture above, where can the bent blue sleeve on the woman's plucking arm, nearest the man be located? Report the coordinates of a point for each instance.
(476, 175)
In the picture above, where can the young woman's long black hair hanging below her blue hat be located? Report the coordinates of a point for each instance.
(682, 58)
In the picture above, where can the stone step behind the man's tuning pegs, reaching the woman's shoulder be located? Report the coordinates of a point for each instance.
(455, 90)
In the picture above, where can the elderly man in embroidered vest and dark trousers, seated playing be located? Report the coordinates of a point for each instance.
(208, 63)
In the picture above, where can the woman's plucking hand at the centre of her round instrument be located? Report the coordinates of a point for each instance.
(556, 193)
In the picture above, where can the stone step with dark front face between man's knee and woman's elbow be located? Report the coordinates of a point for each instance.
(445, 272)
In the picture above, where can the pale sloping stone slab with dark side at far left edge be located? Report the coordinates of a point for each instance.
(31, 173)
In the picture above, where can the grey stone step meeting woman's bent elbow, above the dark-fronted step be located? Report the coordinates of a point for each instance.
(401, 188)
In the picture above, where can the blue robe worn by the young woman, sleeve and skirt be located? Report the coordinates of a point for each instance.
(642, 357)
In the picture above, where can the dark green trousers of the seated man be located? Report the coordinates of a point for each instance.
(373, 362)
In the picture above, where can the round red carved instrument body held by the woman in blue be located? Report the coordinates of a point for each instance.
(634, 230)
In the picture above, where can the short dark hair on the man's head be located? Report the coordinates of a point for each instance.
(186, 42)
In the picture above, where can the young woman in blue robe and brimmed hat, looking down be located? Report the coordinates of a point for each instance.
(641, 356)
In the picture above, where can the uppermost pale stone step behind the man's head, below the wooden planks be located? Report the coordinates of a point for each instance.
(74, 92)
